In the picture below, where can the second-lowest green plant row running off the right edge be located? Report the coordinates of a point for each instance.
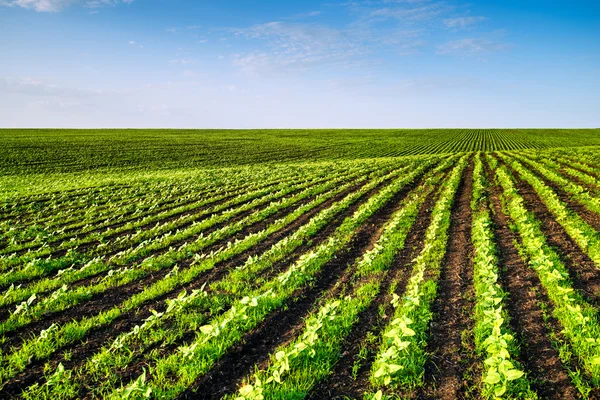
(586, 237)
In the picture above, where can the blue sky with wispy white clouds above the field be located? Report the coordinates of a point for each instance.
(299, 64)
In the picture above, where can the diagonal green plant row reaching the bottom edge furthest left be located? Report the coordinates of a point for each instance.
(168, 327)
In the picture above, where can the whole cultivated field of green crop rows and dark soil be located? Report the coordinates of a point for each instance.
(289, 264)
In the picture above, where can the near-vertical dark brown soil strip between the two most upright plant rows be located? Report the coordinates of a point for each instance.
(451, 356)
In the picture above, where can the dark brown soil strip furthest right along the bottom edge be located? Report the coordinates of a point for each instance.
(542, 362)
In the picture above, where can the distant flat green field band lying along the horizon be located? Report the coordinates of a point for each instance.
(36, 151)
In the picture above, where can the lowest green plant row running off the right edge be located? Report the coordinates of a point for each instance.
(578, 318)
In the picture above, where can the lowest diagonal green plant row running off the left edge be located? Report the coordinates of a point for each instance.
(47, 343)
